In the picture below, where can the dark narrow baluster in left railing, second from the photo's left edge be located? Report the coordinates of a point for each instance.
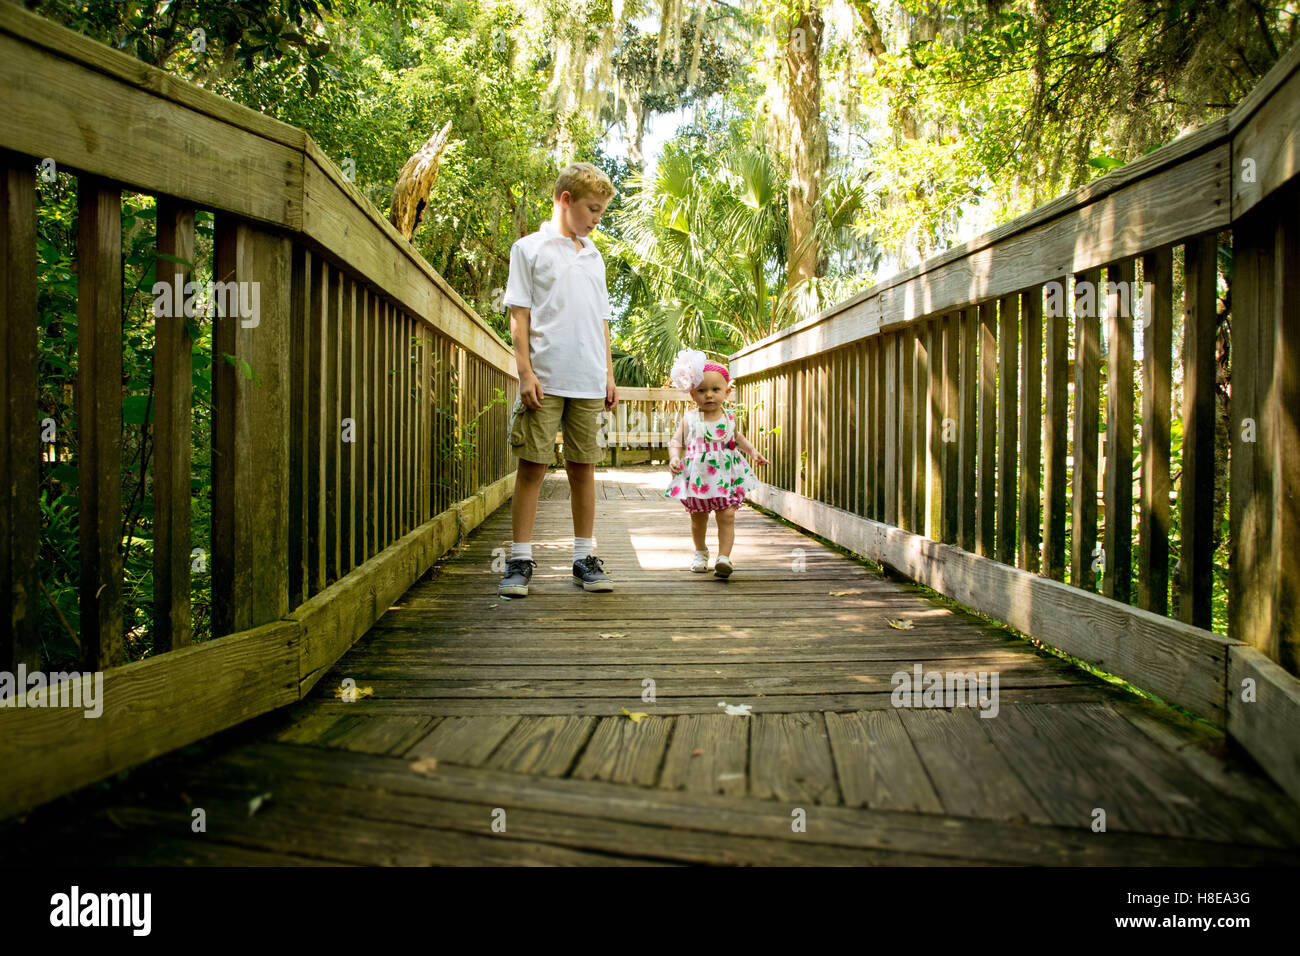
(99, 417)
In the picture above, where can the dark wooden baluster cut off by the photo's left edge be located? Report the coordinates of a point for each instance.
(20, 422)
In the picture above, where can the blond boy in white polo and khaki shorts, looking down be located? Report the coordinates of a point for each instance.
(560, 313)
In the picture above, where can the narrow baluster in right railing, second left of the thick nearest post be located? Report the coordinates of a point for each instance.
(1158, 272)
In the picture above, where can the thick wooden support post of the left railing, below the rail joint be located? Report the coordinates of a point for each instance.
(250, 451)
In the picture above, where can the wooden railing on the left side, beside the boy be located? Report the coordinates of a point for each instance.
(358, 416)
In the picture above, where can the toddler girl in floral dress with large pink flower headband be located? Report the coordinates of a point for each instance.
(714, 475)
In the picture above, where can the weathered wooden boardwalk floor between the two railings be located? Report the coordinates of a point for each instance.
(510, 715)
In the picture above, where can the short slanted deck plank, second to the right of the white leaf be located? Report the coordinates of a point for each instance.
(877, 764)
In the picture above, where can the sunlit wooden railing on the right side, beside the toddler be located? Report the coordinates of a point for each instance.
(942, 425)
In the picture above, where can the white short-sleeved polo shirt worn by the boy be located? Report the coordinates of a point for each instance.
(570, 305)
